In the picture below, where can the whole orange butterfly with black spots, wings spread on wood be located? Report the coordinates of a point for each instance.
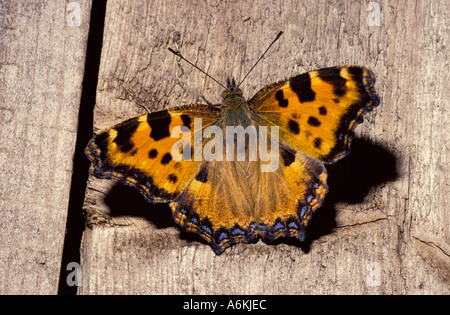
(308, 121)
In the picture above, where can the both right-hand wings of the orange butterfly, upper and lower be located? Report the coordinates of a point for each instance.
(316, 113)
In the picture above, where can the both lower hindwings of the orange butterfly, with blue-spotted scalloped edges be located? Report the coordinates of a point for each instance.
(231, 201)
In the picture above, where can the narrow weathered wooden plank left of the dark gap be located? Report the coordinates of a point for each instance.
(42, 55)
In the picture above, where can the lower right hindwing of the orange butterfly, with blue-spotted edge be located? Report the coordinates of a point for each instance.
(289, 196)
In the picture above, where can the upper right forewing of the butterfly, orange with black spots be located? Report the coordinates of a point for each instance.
(318, 110)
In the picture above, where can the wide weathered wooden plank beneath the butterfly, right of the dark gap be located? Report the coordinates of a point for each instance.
(384, 226)
